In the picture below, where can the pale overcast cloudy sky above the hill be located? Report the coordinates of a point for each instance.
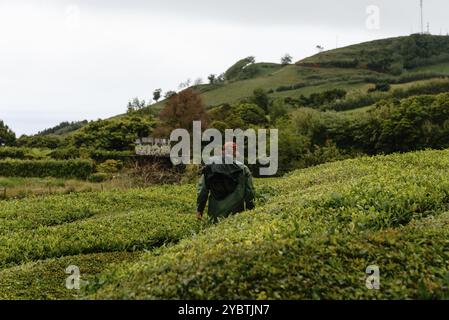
(84, 59)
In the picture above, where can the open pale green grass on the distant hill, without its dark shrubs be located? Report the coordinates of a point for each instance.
(317, 78)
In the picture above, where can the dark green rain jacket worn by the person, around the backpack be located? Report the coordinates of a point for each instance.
(233, 203)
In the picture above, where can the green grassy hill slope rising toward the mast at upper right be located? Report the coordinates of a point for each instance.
(353, 68)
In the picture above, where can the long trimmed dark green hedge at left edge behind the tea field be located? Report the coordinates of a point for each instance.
(46, 168)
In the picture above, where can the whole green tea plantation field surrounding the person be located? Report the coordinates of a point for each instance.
(312, 236)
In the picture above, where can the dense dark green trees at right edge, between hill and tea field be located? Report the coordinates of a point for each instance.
(394, 125)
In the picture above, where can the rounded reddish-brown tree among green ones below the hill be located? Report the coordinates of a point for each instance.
(181, 110)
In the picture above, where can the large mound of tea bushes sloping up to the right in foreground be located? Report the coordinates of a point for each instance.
(313, 237)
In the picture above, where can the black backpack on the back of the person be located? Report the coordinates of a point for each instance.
(222, 179)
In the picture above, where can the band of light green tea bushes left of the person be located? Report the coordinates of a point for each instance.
(55, 226)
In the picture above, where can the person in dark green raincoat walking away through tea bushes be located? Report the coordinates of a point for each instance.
(227, 185)
